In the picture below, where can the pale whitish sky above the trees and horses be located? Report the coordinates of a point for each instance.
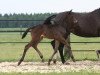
(45, 6)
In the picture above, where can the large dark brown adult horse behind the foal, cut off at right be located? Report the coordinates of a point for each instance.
(88, 24)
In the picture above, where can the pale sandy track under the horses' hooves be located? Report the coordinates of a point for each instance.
(90, 66)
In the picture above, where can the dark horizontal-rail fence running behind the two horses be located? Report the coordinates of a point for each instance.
(21, 30)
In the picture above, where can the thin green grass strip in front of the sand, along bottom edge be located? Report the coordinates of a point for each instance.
(66, 73)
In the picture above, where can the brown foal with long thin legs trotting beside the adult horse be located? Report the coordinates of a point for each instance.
(56, 32)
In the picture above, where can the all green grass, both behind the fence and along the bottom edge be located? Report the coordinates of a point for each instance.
(11, 52)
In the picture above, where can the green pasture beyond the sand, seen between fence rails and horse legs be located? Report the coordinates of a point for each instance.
(13, 52)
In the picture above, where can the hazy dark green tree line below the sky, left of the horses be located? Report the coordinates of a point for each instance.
(6, 20)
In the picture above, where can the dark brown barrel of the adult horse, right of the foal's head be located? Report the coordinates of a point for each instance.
(89, 23)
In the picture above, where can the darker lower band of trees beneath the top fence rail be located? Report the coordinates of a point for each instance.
(18, 23)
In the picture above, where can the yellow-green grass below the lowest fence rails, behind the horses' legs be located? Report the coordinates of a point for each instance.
(14, 51)
